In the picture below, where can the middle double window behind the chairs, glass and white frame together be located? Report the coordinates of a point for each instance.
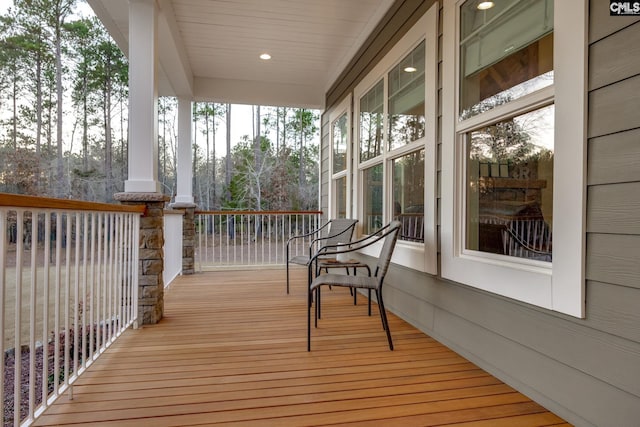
(395, 112)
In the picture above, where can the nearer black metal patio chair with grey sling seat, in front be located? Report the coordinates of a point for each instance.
(389, 236)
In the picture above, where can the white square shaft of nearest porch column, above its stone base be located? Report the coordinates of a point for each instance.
(143, 98)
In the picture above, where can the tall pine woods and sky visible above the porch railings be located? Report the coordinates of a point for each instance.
(64, 123)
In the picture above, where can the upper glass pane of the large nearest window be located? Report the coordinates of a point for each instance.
(505, 52)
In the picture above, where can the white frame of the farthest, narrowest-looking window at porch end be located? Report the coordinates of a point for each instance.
(343, 108)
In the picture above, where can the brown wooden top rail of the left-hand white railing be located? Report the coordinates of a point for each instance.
(21, 201)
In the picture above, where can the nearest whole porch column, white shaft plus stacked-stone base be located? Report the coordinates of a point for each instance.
(142, 185)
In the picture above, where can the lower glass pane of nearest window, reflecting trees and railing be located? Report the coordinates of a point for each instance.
(509, 207)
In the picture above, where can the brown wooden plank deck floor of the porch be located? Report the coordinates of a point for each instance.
(231, 350)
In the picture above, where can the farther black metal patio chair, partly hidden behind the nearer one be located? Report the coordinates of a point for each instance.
(339, 230)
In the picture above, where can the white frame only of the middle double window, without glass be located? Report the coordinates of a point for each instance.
(418, 256)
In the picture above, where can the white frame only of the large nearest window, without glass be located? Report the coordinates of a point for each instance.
(559, 285)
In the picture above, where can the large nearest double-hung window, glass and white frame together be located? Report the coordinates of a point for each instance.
(513, 149)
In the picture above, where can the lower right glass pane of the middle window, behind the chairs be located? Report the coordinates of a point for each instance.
(408, 195)
